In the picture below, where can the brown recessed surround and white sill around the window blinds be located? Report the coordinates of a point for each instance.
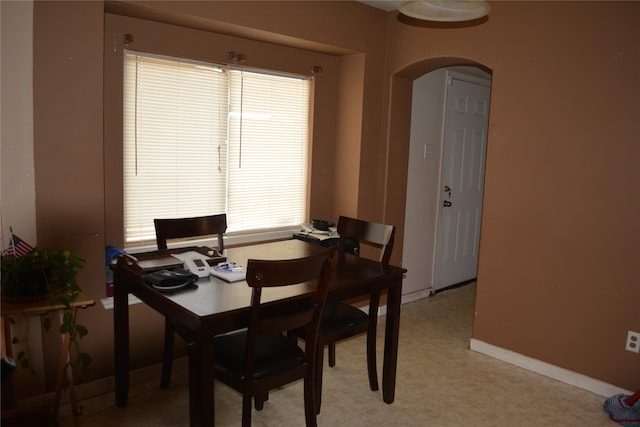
(175, 40)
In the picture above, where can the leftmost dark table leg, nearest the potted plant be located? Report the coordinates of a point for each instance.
(121, 341)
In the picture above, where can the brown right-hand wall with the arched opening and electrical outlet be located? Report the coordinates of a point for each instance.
(559, 258)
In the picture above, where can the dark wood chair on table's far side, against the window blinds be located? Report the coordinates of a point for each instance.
(184, 228)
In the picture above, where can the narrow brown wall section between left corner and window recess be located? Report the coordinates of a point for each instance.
(67, 86)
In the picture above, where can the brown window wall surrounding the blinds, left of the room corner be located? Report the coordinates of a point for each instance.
(76, 120)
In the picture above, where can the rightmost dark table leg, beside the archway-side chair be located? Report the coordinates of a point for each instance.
(394, 297)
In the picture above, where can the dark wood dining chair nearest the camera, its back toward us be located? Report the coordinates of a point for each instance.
(261, 358)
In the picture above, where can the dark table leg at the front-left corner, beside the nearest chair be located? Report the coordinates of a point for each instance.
(201, 381)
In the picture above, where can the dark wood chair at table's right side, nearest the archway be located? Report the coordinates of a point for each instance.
(342, 320)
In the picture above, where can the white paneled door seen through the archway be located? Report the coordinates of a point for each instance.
(462, 181)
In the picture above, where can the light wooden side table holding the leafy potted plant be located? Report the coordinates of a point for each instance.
(40, 308)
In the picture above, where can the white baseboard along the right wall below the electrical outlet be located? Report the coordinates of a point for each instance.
(543, 368)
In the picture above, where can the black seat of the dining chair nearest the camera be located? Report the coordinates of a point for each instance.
(274, 353)
